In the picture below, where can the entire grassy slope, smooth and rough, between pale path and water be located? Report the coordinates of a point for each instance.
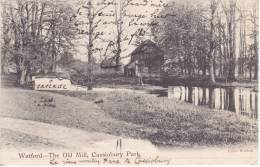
(160, 120)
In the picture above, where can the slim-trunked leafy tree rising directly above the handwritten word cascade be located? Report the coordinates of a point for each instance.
(61, 31)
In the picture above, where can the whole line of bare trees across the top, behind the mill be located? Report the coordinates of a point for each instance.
(218, 39)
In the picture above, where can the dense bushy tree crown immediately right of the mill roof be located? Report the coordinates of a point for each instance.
(184, 38)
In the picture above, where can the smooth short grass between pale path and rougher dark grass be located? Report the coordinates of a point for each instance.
(65, 111)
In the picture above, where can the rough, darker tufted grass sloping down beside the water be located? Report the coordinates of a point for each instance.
(167, 122)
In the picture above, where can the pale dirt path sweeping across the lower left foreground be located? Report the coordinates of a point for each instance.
(48, 138)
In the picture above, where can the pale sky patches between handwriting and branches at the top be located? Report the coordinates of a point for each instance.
(81, 51)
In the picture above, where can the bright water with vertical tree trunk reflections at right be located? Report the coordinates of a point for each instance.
(242, 101)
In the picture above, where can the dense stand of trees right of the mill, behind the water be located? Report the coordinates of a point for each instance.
(217, 39)
